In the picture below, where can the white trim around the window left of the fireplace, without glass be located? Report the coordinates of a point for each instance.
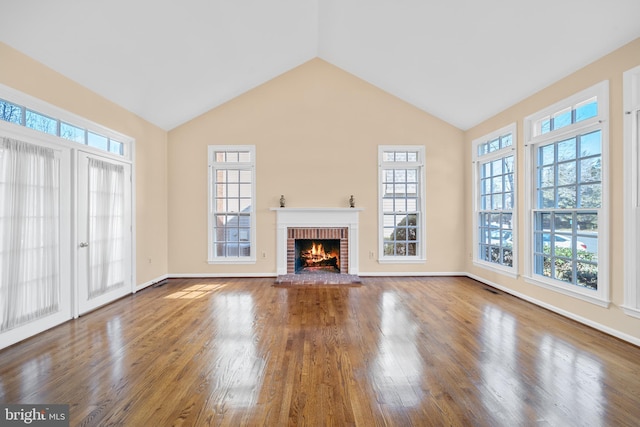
(211, 257)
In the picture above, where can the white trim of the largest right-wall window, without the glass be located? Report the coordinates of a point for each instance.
(601, 296)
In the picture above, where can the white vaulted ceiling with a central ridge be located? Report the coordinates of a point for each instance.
(461, 60)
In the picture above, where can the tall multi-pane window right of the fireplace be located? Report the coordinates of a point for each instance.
(401, 177)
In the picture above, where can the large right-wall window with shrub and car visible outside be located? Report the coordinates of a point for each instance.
(567, 159)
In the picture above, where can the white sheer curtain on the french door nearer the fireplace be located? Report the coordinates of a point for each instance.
(106, 227)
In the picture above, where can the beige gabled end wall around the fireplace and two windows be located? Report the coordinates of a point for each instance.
(316, 130)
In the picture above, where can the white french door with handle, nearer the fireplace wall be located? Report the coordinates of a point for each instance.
(104, 232)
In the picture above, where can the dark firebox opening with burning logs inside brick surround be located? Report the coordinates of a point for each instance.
(317, 256)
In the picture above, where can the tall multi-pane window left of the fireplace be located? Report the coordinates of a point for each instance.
(231, 202)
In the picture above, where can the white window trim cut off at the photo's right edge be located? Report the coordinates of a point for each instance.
(631, 106)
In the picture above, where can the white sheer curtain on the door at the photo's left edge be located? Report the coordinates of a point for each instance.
(29, 233)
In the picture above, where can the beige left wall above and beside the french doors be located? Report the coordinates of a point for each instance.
(26, 75)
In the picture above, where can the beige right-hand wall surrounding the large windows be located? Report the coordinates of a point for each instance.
(610, 67)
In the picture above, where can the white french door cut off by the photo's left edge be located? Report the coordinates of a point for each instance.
(35, 290)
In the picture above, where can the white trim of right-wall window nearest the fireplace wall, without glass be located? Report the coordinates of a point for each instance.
(512, 128)
